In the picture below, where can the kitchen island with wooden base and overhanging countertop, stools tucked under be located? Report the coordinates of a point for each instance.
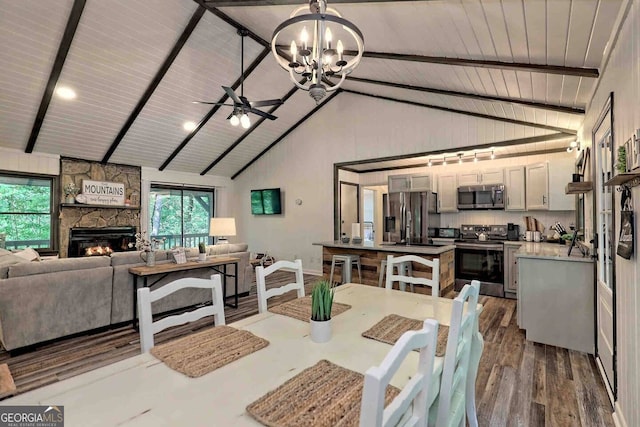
(372, 254)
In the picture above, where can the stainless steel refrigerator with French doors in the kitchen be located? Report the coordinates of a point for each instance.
(408, 216)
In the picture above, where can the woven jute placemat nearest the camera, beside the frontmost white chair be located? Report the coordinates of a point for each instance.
(323, 395)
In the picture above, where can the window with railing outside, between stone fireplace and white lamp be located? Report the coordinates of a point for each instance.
(180, 214)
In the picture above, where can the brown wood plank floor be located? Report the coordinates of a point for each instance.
(520, 383)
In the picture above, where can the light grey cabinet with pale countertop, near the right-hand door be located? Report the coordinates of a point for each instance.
(556, 296)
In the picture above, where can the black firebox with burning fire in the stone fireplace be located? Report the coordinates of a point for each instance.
(100, 241)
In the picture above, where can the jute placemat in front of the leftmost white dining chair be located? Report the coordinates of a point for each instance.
(206, 351)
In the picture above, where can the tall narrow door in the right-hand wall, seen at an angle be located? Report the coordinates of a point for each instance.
(605, 265)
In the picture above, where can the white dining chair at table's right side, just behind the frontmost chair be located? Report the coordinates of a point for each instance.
(456, 398)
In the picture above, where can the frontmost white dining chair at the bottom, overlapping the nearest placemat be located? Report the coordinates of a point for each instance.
(410, 407)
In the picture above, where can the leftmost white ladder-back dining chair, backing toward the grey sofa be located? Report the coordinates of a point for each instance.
(148, 328)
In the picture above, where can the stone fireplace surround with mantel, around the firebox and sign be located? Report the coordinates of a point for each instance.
(77, 216)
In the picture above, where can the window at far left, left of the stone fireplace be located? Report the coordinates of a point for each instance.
(26, 211)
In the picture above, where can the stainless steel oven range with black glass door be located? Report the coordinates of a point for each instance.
(482, 261)
